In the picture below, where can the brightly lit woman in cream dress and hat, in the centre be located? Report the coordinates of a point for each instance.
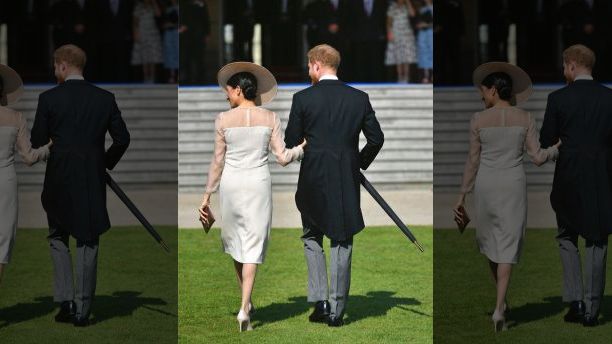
(239, 169)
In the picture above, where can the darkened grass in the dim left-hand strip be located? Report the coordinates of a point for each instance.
(136, 296)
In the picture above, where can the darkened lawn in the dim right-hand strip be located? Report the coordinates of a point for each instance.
(464, 294)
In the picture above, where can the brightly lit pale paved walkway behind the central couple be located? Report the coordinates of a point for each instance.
(413, 206)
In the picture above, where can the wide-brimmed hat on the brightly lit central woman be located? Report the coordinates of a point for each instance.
(266, 83)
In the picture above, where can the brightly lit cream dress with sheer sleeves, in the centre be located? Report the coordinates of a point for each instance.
(239, 169)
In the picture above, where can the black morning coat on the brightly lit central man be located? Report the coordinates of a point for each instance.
(330, 115)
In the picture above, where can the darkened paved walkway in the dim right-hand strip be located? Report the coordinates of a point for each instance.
(539, 212)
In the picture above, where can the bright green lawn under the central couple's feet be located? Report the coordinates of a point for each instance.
(390, 299)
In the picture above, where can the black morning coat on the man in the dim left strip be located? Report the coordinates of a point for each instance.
(76, 115)
